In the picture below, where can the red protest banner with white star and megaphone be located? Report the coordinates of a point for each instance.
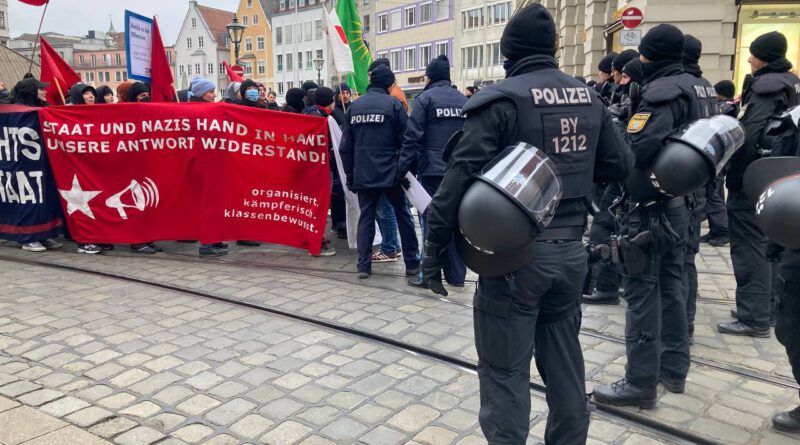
(130, 173)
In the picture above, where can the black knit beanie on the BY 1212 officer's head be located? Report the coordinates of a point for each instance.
(530, 31)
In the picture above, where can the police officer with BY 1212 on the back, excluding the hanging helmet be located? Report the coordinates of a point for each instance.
(534, 310)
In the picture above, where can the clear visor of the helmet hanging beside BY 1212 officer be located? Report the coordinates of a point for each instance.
(528, 177)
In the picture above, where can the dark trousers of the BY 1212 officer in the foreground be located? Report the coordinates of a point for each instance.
(533, 313)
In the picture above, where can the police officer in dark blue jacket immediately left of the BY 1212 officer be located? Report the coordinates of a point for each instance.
(436, 116)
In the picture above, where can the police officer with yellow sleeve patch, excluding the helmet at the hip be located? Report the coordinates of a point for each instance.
(656, 329)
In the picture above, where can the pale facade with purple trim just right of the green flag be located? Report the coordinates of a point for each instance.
(411, 34)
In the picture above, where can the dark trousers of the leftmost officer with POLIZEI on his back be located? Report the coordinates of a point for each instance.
(368, 202)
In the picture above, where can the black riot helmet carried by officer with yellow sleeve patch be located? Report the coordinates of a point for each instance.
(690, 158)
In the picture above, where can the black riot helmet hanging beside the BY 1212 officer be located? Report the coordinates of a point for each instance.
(505, 208)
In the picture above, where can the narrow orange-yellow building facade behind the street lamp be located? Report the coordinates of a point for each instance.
(255, 52)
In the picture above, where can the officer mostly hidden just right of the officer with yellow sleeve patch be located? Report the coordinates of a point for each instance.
(692, 49)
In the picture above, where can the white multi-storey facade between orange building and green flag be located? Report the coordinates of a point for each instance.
(297, 41)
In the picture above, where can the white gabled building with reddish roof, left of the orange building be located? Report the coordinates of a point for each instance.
(202, 46)
